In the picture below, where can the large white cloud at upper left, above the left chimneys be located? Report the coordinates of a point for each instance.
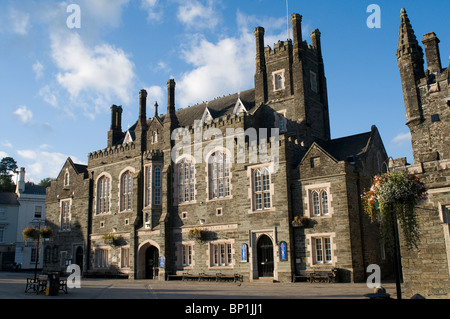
(94, 77)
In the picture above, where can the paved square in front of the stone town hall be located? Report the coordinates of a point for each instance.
(12, 286)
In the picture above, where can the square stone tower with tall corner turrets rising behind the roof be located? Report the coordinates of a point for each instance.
(290, 78)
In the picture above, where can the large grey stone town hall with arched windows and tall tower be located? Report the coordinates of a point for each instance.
(150, 204)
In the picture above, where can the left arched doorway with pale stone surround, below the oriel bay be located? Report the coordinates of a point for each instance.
(148, 261)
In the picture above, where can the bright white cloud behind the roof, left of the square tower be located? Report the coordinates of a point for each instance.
(226, 66)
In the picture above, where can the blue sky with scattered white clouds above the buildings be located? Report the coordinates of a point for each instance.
(57, 84)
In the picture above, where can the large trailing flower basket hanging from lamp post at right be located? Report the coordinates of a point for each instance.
(395, 193)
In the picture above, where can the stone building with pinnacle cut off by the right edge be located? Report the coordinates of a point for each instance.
(426, 270)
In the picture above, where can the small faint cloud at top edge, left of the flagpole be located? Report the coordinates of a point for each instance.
(194, 14)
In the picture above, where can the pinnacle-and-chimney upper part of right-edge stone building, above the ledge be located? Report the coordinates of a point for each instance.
(425, 93)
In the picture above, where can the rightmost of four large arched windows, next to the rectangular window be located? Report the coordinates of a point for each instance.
(218, 175)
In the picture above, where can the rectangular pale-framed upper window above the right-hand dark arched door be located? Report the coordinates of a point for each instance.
(261, 188)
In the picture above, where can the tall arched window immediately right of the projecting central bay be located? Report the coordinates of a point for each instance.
(185, 170)
